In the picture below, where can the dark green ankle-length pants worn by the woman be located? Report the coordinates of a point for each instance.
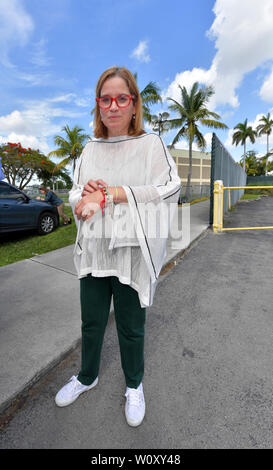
(96, 294)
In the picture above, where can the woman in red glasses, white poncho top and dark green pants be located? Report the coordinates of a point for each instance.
(123, 178)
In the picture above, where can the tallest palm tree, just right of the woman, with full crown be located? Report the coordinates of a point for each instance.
(192, 110)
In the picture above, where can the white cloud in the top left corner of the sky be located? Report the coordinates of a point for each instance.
(16, 25)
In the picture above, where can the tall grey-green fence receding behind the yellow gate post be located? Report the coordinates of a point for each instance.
(224, 168)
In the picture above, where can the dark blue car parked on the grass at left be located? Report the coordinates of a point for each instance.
(20, 212)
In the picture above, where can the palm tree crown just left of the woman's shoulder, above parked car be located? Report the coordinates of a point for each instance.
(69, 146)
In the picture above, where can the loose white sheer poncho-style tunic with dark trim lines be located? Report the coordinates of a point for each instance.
(131, 242)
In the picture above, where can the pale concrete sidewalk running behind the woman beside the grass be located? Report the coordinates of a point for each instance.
(40, 311)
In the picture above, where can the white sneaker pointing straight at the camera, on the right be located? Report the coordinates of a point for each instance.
(135, 405)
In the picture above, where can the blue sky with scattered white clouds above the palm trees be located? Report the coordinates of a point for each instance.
(53, 52)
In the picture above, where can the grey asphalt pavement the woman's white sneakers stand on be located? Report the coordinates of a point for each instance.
(209, 347)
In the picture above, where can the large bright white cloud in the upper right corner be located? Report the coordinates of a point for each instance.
(243, 35)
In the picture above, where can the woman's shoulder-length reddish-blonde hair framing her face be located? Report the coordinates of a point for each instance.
(136, 125)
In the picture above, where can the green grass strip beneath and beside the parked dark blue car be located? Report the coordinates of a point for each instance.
(17, 246)
